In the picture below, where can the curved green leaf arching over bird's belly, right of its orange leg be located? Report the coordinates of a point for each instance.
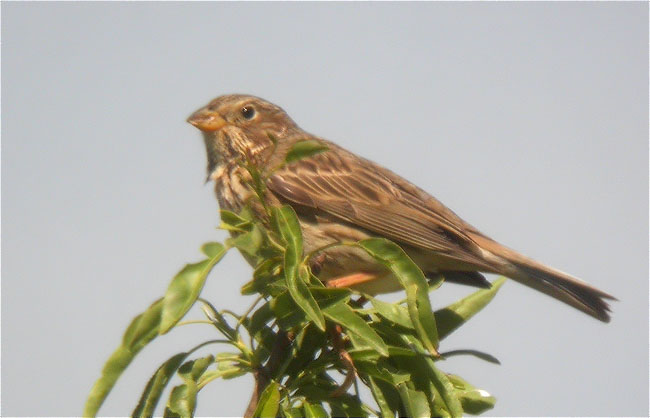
(414, 283)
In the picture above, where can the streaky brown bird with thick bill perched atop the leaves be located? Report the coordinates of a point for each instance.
(339, 196)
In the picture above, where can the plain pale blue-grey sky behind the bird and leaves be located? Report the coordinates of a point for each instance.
(530, 120)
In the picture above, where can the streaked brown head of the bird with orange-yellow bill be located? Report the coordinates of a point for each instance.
(238, 125)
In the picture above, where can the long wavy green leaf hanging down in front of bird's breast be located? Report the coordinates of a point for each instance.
(289, 228)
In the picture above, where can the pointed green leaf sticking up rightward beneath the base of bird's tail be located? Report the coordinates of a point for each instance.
(456, 314)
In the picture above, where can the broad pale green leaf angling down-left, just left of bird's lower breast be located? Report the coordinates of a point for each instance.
(185, 288)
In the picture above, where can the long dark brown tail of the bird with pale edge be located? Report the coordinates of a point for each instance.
(557, 284)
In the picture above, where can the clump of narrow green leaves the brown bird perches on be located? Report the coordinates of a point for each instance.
(299, 336)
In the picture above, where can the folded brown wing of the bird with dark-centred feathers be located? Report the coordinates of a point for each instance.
(374, 198)
